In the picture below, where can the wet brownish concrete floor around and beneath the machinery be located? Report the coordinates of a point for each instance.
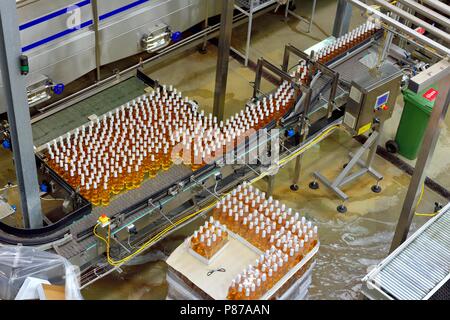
(351, 243)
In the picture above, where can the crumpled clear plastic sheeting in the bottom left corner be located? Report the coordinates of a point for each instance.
(18, 263)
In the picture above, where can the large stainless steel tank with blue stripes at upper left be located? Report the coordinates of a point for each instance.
(58, 36)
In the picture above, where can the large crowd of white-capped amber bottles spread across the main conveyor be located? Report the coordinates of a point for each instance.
(117, 151)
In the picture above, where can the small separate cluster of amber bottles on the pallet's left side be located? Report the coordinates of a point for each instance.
(209, 238)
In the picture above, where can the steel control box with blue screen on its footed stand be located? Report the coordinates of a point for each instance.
(371, 102)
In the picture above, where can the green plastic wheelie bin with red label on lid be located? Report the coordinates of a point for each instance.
(414, 121)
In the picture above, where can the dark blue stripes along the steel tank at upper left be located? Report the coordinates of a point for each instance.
(81, 26)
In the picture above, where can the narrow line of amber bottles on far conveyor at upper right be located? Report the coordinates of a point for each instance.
(336, 48)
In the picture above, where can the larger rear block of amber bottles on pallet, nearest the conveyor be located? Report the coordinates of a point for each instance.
(265, 223)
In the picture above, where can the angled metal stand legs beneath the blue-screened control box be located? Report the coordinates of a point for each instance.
(344, 177)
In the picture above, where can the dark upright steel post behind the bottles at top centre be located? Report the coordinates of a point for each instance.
(226, 27)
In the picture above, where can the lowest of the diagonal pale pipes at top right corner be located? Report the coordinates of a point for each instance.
(419, 37)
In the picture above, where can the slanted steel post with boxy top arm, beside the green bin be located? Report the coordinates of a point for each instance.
(439, 75)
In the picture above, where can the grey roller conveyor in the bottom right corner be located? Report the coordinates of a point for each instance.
(419, 268)
